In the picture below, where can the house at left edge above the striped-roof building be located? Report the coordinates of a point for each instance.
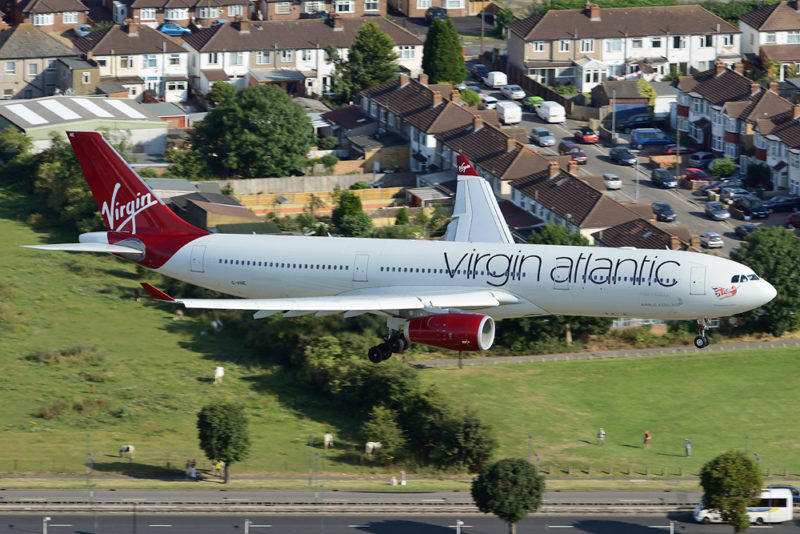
(29, 59)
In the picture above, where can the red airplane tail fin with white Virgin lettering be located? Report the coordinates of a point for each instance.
(126, 203)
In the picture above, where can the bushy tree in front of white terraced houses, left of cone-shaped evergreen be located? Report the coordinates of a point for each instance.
(371, 60)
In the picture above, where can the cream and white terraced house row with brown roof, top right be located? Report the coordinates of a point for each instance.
(585, 47)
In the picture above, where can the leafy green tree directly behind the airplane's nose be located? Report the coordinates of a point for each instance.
(772, 253)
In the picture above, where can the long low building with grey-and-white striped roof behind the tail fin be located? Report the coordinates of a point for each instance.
(39, 118)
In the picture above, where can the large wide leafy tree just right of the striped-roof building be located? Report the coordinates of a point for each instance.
(258, 133)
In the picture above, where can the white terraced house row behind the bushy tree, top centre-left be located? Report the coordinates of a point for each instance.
(287, 53)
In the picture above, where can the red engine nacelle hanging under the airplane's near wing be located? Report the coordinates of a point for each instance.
(456, 331)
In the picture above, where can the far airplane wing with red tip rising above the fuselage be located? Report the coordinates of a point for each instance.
(476, 215)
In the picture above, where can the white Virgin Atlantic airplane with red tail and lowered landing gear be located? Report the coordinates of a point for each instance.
(441, 293)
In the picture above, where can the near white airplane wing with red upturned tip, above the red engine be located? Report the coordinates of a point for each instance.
(389, 300)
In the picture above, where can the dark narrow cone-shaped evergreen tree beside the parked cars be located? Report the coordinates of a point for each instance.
(442, 55)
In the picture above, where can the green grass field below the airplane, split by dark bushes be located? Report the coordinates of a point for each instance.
(135, 375)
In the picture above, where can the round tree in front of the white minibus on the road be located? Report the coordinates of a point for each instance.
(730, 482)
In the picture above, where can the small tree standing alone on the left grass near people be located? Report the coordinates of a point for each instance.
(223, 434)
